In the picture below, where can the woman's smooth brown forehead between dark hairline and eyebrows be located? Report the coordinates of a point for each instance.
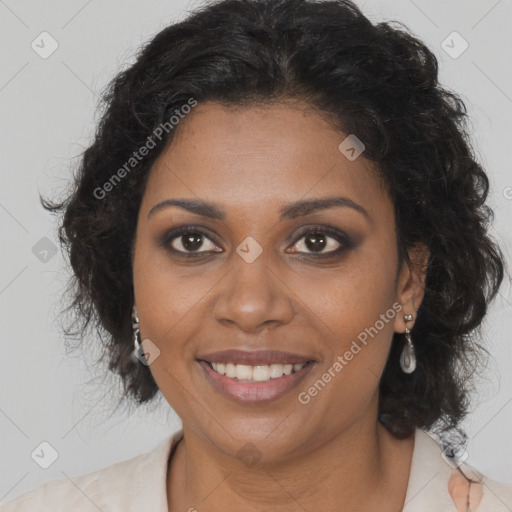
(259, 155)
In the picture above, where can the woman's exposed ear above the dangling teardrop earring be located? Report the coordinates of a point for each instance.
(411, 284)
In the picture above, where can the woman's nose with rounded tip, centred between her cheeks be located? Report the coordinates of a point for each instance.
(253, 297)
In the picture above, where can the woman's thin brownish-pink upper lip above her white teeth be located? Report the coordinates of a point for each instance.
(254, 358)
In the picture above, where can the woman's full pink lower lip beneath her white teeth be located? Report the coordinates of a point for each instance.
(254, 392)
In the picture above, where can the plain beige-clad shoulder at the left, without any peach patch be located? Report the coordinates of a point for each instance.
(125, 486)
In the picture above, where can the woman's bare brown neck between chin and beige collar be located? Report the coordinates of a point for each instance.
(355, 467)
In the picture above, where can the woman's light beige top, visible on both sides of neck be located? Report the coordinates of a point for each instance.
(139, 485)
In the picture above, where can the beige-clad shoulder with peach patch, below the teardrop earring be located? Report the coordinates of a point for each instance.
(440, 480)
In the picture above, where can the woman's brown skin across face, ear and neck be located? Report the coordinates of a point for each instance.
(331, 451)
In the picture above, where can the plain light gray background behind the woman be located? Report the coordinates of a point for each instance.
(48, 118)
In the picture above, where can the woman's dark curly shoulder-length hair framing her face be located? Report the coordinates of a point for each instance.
(373, 80)
